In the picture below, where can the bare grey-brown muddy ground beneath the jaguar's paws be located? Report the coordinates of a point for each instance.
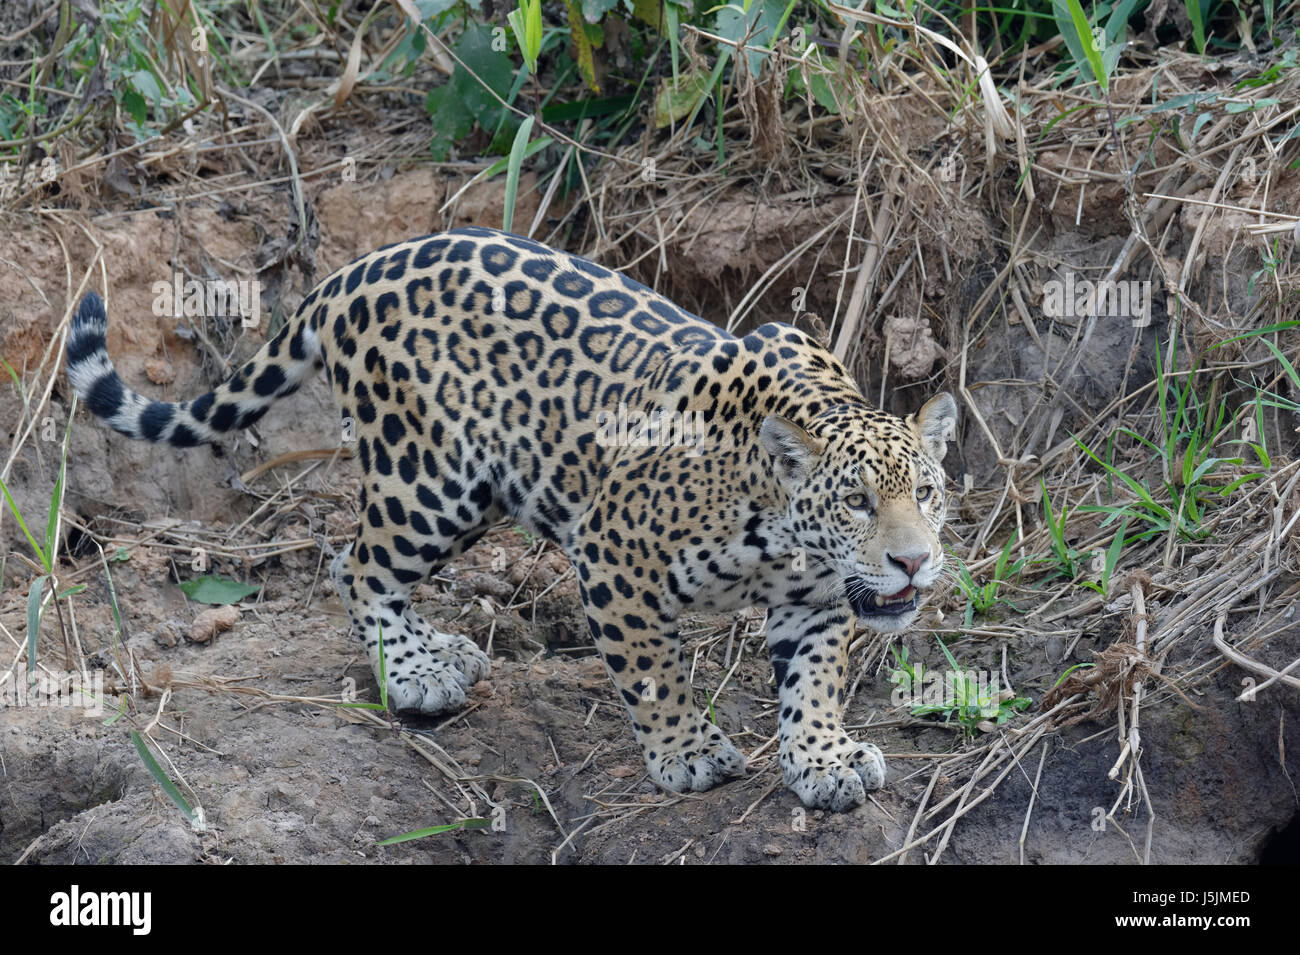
(283, 782)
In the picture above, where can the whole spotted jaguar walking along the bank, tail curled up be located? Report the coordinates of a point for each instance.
(478, 374)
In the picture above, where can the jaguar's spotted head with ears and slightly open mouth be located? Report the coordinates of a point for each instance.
(868, 503)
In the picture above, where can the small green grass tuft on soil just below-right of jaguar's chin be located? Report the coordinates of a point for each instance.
(960, 694)
